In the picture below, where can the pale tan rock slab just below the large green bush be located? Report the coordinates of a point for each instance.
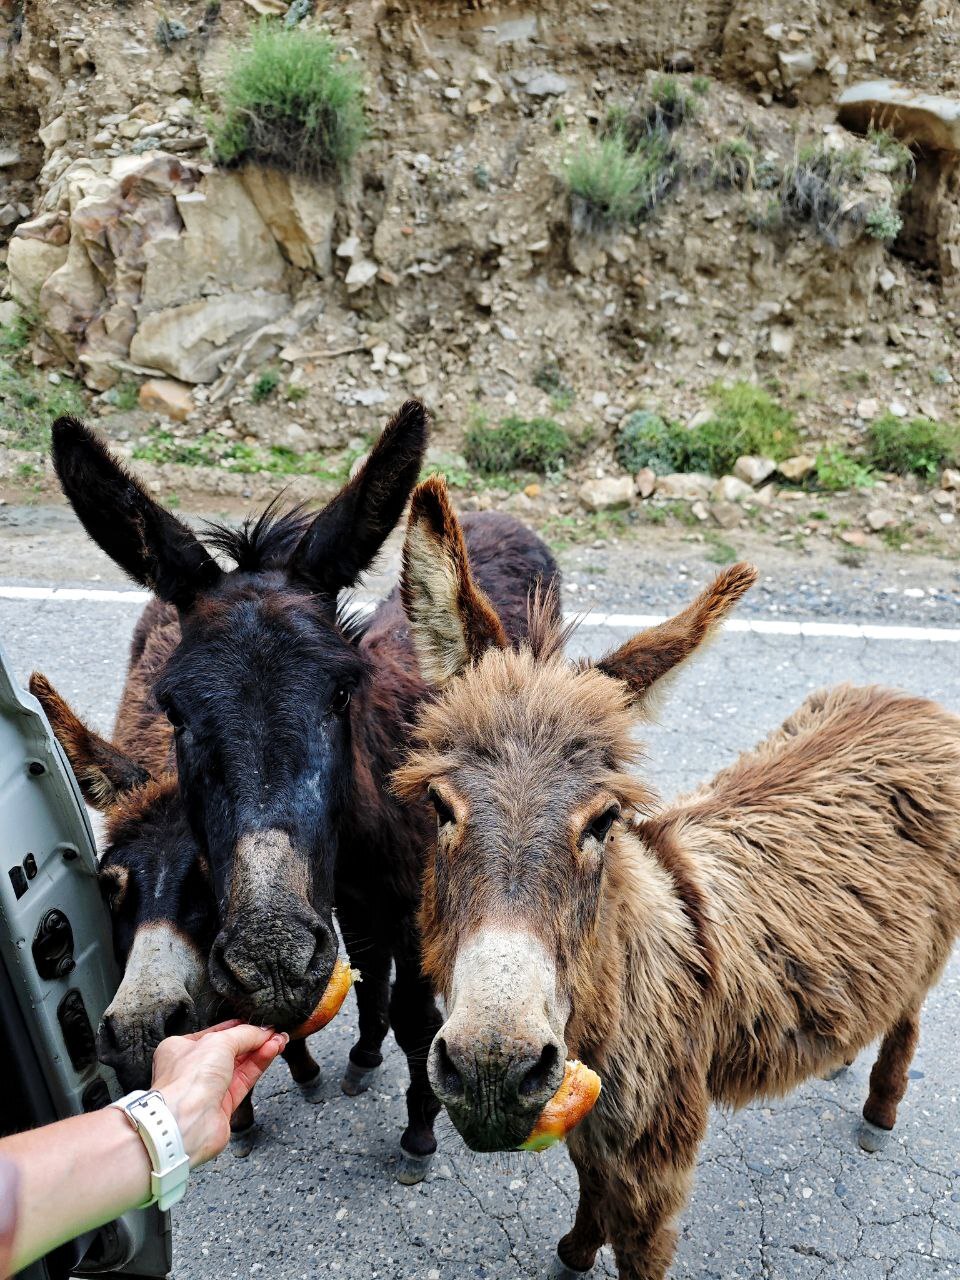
(300, 214)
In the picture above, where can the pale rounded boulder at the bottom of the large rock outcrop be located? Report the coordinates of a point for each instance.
(193, 342)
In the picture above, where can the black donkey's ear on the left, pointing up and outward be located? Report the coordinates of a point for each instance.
(149, 543)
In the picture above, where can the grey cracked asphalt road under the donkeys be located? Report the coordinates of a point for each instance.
(783, 1190)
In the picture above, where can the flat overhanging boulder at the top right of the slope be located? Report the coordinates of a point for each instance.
(927, 121)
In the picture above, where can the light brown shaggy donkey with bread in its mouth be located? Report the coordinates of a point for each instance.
(725, 948)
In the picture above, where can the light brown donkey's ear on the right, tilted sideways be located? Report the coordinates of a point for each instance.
(659, 651)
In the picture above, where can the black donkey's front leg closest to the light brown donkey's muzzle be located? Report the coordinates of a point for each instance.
(415, 1020)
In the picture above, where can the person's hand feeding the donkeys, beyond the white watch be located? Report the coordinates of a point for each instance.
(204, 1078)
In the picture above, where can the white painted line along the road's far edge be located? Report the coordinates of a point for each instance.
(589, 621)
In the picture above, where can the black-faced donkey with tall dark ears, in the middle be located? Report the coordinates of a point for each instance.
(289, 719)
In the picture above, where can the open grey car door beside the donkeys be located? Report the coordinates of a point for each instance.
(57, 973)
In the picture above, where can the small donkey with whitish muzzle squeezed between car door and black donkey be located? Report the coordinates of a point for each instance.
(153, 876)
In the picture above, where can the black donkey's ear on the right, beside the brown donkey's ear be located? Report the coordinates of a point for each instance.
(351, 529)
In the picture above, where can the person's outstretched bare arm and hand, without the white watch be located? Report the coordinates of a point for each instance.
(77, 1174)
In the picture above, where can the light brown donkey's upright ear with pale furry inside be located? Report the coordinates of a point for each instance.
(451, 620)
